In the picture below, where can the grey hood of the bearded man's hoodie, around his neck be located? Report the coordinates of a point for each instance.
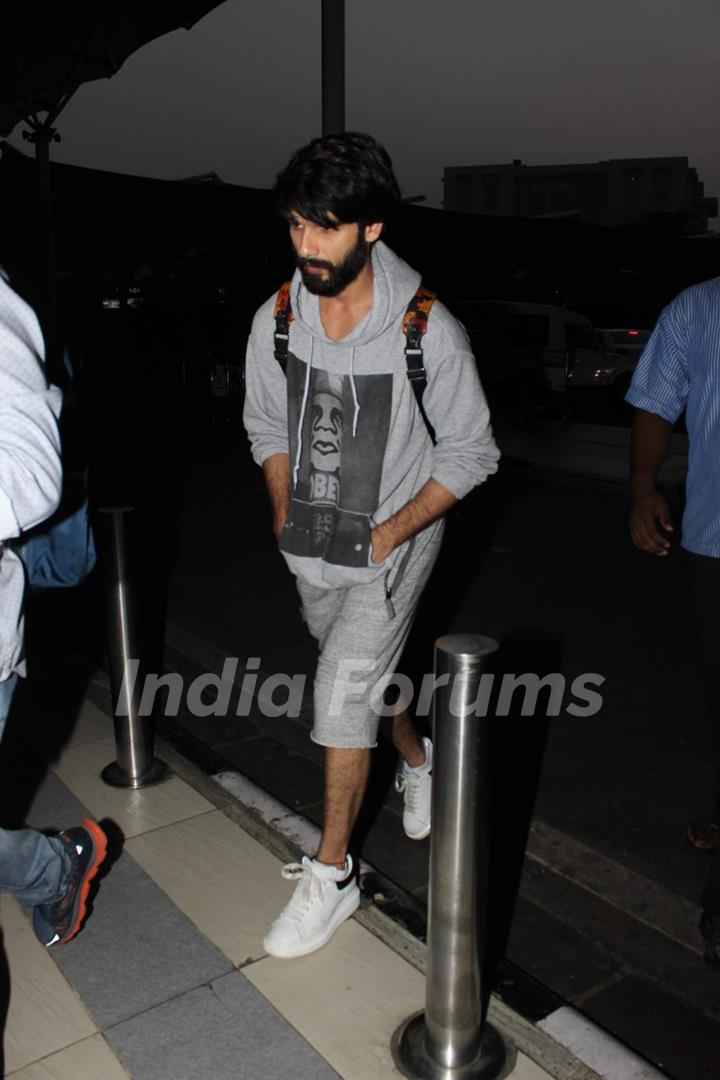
(395, 285)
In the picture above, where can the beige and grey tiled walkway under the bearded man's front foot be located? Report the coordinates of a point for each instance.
(169, 980)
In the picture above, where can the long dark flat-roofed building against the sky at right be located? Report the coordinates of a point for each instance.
(661, 193)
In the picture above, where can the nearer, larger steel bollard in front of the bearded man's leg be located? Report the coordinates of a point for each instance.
(450, 1041)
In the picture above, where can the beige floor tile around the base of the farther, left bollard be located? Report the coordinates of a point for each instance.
(134, 812)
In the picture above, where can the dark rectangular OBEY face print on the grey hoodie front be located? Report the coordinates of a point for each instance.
(339, 474)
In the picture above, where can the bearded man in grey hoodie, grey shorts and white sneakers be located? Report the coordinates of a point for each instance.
(359, 488)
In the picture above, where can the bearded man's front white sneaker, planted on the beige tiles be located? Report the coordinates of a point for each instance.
(323, 899)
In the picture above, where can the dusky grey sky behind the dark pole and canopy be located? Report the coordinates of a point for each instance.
(441, 85)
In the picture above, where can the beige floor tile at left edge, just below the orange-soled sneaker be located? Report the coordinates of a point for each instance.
(45, 1015)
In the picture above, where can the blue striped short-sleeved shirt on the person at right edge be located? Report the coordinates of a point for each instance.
(681, 369)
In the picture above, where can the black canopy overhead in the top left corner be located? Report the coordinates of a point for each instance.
(50, 48)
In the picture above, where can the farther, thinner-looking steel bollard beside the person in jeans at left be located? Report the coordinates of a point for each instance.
(135, 766)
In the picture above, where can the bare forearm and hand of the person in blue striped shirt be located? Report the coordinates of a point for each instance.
(651, 440)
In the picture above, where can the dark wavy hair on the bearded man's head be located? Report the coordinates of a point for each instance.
(350, 177)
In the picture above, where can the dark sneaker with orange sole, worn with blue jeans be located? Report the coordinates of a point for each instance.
(57, 924)
